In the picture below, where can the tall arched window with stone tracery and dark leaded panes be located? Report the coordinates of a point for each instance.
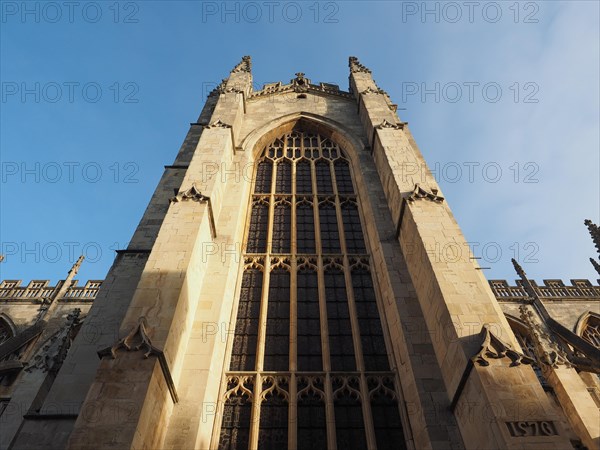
(309, 367)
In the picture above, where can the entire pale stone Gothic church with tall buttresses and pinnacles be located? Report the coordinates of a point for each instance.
(280, 292)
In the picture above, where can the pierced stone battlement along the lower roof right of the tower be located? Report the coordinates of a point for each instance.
(551, 290)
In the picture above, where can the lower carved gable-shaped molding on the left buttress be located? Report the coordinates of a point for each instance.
(138, 339)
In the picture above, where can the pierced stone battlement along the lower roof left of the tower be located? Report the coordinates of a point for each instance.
(37, 291)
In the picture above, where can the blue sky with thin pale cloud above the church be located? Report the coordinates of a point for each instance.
(503, 100)
